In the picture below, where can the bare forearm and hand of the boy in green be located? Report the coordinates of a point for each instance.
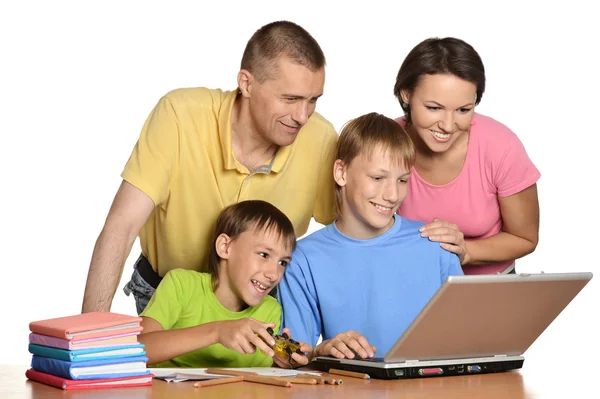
(239, 335)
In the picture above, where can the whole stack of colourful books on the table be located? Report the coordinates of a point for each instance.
(91, 350)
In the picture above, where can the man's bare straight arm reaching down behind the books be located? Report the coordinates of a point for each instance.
(129, 211)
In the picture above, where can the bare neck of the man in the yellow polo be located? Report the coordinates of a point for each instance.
(250, 147)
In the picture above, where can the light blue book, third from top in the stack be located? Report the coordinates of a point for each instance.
(81, 355)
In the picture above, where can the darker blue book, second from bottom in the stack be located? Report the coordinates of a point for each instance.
(91, 369)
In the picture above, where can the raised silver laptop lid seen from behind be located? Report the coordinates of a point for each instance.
(479, 316)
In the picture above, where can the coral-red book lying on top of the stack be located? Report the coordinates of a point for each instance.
(87, 325)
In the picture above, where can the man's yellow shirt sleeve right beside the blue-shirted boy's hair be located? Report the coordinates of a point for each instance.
(324, 210)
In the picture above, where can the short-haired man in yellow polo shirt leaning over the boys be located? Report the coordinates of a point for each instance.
(201, 150)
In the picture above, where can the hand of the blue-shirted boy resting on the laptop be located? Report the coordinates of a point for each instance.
(346, 345)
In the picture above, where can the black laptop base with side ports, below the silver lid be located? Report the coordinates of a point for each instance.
(419, 371)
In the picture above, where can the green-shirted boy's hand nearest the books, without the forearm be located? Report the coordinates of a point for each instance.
(245, 336)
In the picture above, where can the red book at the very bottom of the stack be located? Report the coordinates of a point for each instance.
(63, 383)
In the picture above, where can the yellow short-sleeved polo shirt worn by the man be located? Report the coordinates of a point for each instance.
(184, 161)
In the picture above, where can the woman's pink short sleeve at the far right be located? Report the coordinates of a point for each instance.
(515, 171)
